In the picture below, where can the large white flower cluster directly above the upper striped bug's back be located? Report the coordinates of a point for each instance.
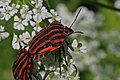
(34, 16)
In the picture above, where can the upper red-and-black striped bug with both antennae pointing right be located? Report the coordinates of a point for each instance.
(50, 38)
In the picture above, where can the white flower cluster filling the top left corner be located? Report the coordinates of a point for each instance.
(7, 10)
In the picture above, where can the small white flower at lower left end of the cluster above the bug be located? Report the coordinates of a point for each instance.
(19, 23)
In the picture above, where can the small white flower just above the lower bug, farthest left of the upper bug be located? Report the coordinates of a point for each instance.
(17, 42)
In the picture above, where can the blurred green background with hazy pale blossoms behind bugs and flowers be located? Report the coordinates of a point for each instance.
(102, 40)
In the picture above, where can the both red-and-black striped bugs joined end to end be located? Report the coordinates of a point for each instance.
(45, 41)
